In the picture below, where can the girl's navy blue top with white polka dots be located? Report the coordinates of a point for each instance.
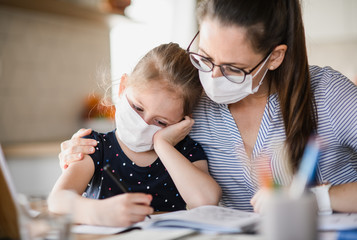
(153, 179)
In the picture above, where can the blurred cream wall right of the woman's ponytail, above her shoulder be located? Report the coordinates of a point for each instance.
(331, 33)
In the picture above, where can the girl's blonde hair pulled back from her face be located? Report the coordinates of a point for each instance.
(170, 65)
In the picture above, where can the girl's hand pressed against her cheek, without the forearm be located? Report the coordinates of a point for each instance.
(173, 134)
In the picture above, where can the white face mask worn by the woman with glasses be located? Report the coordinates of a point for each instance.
(221, 90)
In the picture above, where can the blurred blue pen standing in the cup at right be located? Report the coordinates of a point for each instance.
(306, 170)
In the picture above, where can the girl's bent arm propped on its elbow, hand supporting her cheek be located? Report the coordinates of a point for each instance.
(192, 180)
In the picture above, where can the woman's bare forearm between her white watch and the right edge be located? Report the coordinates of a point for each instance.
(344, 197)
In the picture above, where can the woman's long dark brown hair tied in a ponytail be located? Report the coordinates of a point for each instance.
(270, 23)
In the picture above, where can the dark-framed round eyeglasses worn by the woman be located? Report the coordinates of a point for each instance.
(228, 71)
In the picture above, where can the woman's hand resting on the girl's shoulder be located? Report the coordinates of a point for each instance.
(74, 149)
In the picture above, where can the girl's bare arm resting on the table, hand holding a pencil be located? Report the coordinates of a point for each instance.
(121, 210)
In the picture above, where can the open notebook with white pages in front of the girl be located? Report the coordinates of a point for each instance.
(207, 219)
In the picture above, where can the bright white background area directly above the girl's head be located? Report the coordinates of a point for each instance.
(147, 25)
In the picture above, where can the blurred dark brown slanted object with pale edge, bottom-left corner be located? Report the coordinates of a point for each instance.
(9, 209)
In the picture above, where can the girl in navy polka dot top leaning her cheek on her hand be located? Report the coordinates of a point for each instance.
(163, 168)
